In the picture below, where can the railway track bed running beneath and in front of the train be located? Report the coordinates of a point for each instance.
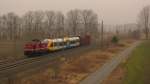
(7, 69)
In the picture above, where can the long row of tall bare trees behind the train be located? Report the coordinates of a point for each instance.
(48, 24)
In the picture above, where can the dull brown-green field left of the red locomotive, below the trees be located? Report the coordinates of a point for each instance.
(10, 50)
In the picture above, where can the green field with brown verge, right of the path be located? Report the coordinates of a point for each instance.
(136, 70)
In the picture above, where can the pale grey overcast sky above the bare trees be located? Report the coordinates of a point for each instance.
(112, 11)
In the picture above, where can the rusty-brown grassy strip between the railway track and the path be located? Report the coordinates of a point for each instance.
(74, 70)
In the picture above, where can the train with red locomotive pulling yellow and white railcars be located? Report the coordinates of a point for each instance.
(38, 47)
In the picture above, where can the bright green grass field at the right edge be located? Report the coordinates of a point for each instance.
(138, 66)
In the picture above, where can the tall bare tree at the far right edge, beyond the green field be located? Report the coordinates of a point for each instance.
(144, 20)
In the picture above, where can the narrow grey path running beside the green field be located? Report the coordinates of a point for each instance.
(98, 76)
